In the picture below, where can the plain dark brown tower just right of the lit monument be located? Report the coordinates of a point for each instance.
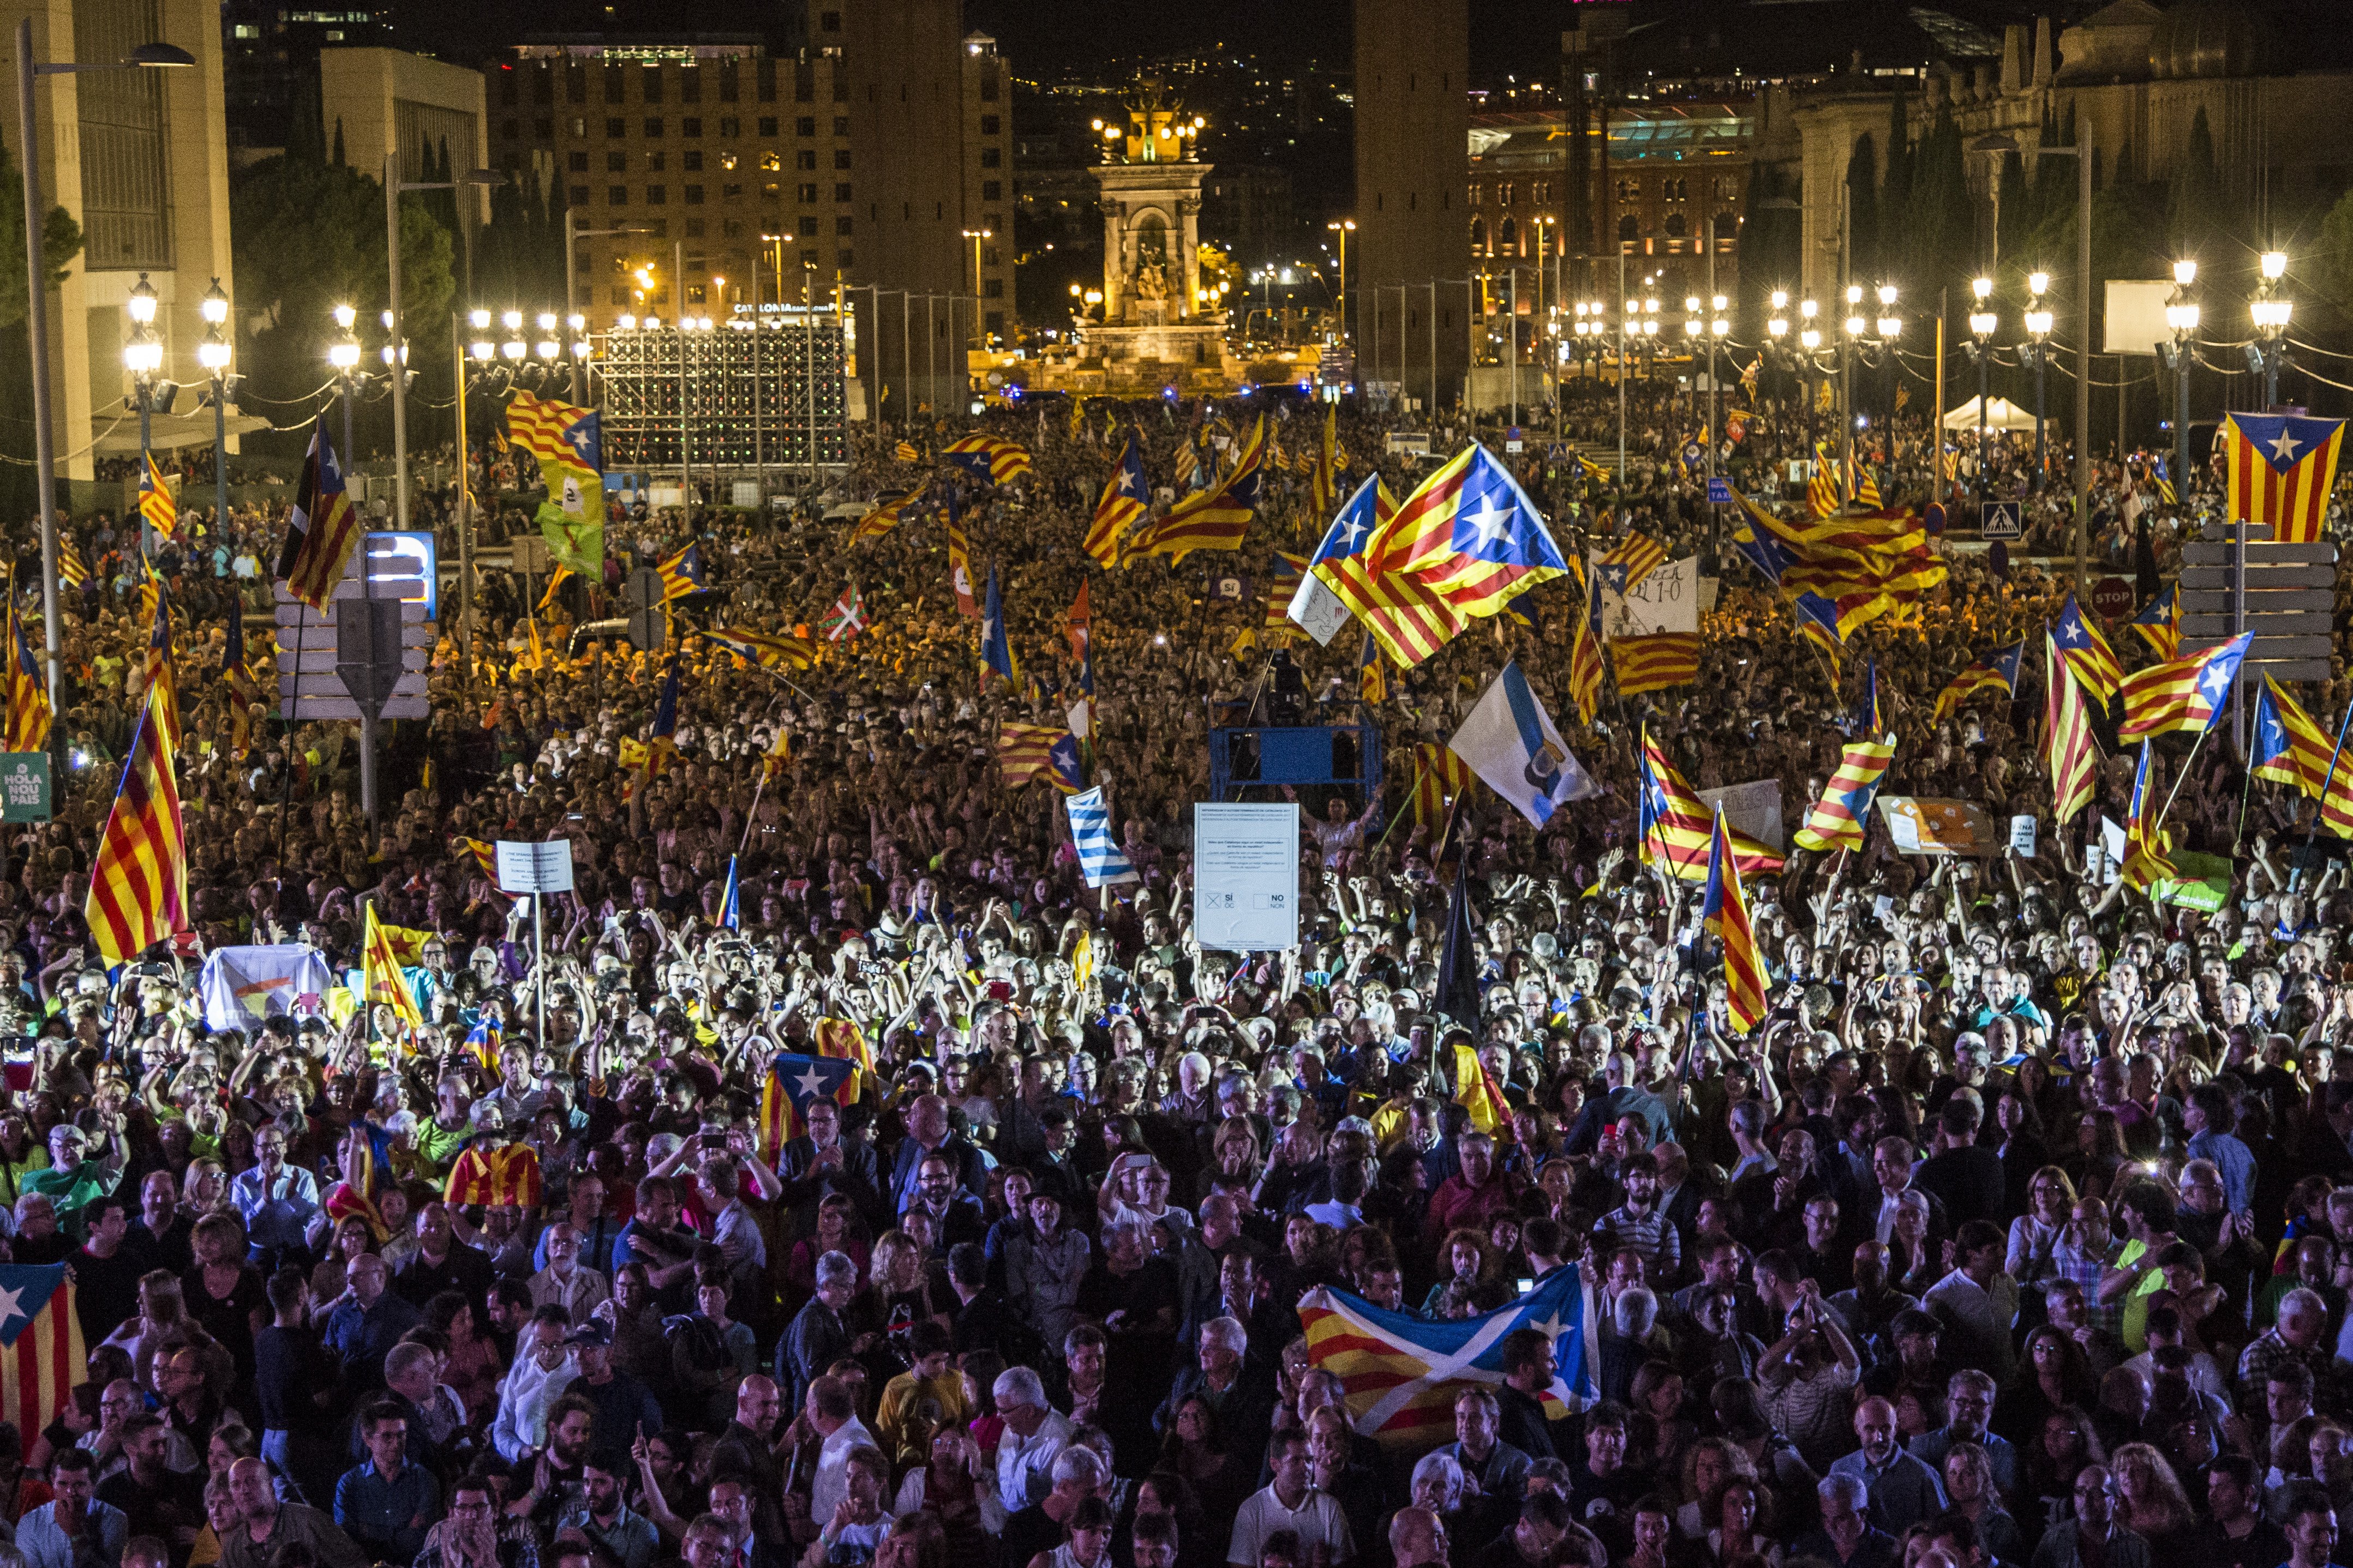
(1413, 121)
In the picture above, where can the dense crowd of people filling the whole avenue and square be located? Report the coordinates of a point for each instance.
(2022, 1231)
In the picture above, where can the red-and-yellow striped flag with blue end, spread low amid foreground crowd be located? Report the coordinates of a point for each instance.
(1401, 1374)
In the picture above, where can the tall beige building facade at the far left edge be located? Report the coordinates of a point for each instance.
(140, 161)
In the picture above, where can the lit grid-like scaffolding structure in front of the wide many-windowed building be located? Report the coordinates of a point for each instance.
(742, 396)
